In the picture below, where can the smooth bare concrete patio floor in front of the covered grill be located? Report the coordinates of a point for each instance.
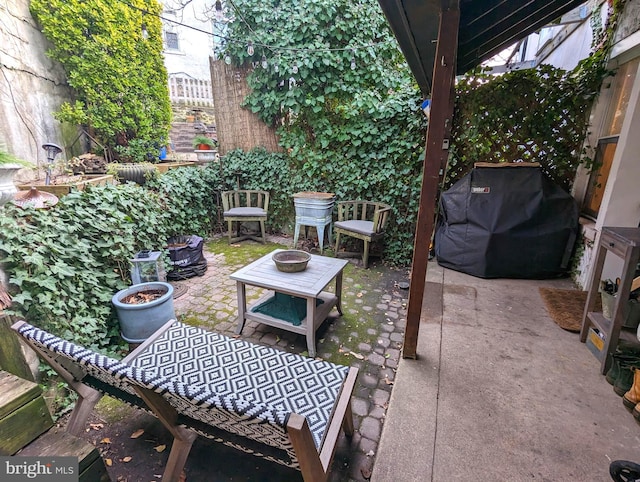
(500, 393)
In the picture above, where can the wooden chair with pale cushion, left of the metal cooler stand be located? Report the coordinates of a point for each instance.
(245, 206)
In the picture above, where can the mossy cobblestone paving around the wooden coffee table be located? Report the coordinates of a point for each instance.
(369, 336)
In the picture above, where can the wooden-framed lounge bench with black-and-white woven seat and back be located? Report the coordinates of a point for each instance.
(281, 406)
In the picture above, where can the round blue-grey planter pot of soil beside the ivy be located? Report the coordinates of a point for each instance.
(138, 321)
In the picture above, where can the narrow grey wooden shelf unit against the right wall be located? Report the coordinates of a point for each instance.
(625, 243)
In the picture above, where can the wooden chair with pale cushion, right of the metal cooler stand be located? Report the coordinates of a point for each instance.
(365, 220)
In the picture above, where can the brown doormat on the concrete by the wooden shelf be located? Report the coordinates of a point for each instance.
(566, 307)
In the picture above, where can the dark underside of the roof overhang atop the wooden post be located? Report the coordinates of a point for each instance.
(486, 28)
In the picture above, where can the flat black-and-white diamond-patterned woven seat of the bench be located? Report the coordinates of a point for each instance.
(239, 370)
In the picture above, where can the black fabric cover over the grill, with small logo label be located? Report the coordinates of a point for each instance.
(506, 222)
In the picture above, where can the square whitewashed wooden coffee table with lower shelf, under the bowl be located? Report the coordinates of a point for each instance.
(308, 284)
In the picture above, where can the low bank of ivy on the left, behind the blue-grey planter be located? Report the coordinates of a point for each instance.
(65, 263)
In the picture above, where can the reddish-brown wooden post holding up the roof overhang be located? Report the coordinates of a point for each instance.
(439, 128)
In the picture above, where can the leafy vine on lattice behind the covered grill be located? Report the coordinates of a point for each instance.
(534, 115)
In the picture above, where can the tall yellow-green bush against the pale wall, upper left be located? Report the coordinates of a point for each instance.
(116, 70)
